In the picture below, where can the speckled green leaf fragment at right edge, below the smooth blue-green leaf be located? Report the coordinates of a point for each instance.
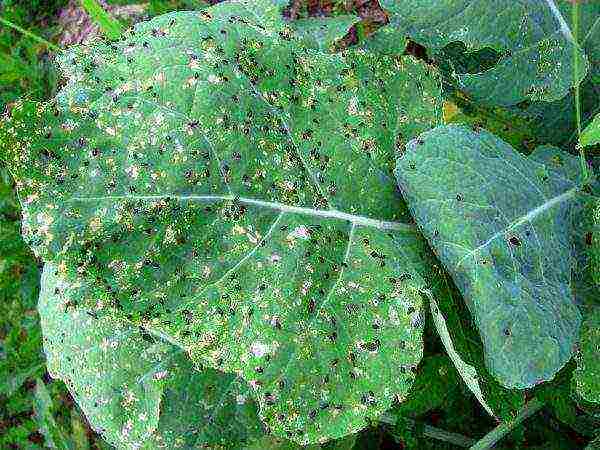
(586, 377)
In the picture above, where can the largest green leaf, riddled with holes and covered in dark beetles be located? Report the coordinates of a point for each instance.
(227, 186)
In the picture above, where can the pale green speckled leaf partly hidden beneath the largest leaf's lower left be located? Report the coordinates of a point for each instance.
(136, 390)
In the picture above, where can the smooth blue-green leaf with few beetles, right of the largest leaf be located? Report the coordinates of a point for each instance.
(501, 225)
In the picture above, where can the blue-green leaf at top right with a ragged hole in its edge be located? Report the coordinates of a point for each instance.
(536, 41)
